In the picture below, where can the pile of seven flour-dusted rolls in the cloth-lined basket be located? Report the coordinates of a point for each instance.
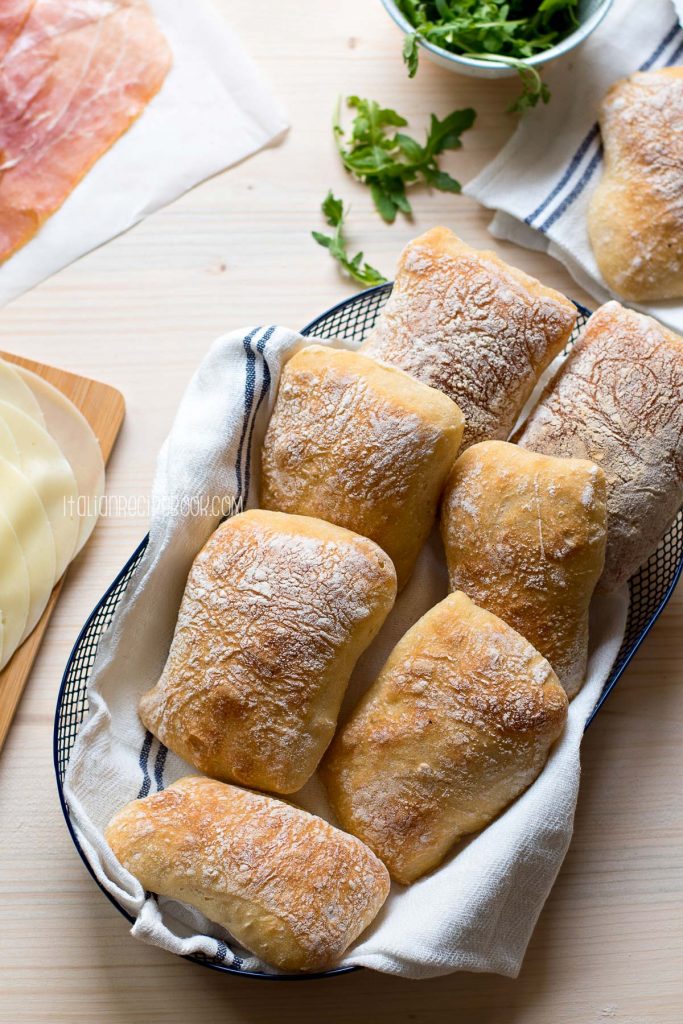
(362, 450)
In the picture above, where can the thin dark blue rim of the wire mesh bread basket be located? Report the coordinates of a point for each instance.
(206, 962)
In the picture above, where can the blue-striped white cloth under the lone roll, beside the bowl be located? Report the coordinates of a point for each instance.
(541, 183)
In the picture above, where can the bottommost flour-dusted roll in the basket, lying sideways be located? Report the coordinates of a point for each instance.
(288, 886)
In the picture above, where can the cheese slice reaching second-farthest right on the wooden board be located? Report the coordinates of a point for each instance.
(47, 470)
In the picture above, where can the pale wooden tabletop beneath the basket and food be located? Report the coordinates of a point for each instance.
(140, 314)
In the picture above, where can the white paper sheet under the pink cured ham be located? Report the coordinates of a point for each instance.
(212, 111)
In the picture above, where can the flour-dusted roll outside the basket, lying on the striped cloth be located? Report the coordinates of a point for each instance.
(635, 220)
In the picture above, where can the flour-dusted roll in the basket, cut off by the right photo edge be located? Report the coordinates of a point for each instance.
(619, 401)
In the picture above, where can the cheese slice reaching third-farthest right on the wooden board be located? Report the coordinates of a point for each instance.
(24, 509)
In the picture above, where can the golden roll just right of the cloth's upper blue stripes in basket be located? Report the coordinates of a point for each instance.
(363, 446)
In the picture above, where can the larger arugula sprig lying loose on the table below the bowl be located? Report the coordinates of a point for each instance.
(390, 162)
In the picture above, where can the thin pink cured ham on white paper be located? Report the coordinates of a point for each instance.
(74, 80)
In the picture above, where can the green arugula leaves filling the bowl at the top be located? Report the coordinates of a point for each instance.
(509, 31)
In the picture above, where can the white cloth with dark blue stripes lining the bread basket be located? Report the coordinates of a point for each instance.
(478, 912)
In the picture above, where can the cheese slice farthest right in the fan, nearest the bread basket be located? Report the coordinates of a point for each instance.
(77, 441)
